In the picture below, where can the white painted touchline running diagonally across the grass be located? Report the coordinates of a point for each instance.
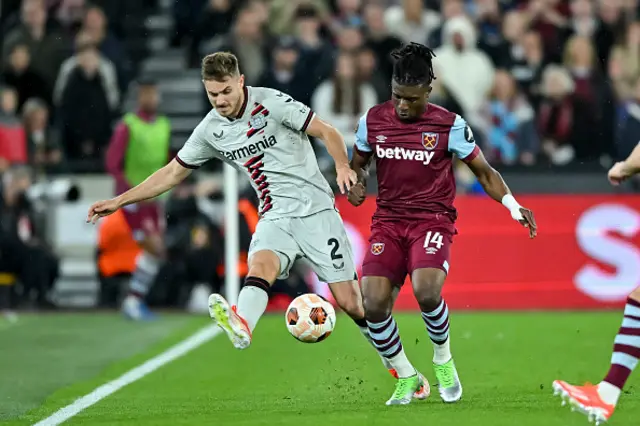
(98, 394)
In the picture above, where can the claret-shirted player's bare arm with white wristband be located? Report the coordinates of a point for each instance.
(495, 186)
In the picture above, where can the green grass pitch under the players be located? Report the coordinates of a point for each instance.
(506, 362)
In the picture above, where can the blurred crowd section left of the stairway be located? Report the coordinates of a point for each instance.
(64, 71)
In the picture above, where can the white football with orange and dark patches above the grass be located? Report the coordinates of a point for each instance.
(310, 318)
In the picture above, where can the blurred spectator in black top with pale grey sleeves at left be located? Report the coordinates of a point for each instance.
(87, 97)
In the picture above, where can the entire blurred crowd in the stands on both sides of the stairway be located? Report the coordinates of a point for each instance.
(540, 81)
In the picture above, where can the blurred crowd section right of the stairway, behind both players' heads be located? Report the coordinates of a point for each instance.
(540, 81)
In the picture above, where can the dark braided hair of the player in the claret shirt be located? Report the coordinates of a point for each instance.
(413, 65)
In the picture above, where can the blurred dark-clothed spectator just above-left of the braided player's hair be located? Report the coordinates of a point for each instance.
(379, 38)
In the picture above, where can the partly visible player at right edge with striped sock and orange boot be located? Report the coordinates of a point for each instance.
(599, 401)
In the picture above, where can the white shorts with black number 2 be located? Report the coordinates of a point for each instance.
(319, 239)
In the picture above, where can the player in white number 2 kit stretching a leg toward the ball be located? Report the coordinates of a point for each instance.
(263, 133)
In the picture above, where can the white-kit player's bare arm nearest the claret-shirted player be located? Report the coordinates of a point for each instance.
(334, 142)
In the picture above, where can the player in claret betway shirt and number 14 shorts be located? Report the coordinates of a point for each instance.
(414, 143)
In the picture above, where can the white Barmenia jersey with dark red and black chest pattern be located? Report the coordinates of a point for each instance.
(269, 144)
